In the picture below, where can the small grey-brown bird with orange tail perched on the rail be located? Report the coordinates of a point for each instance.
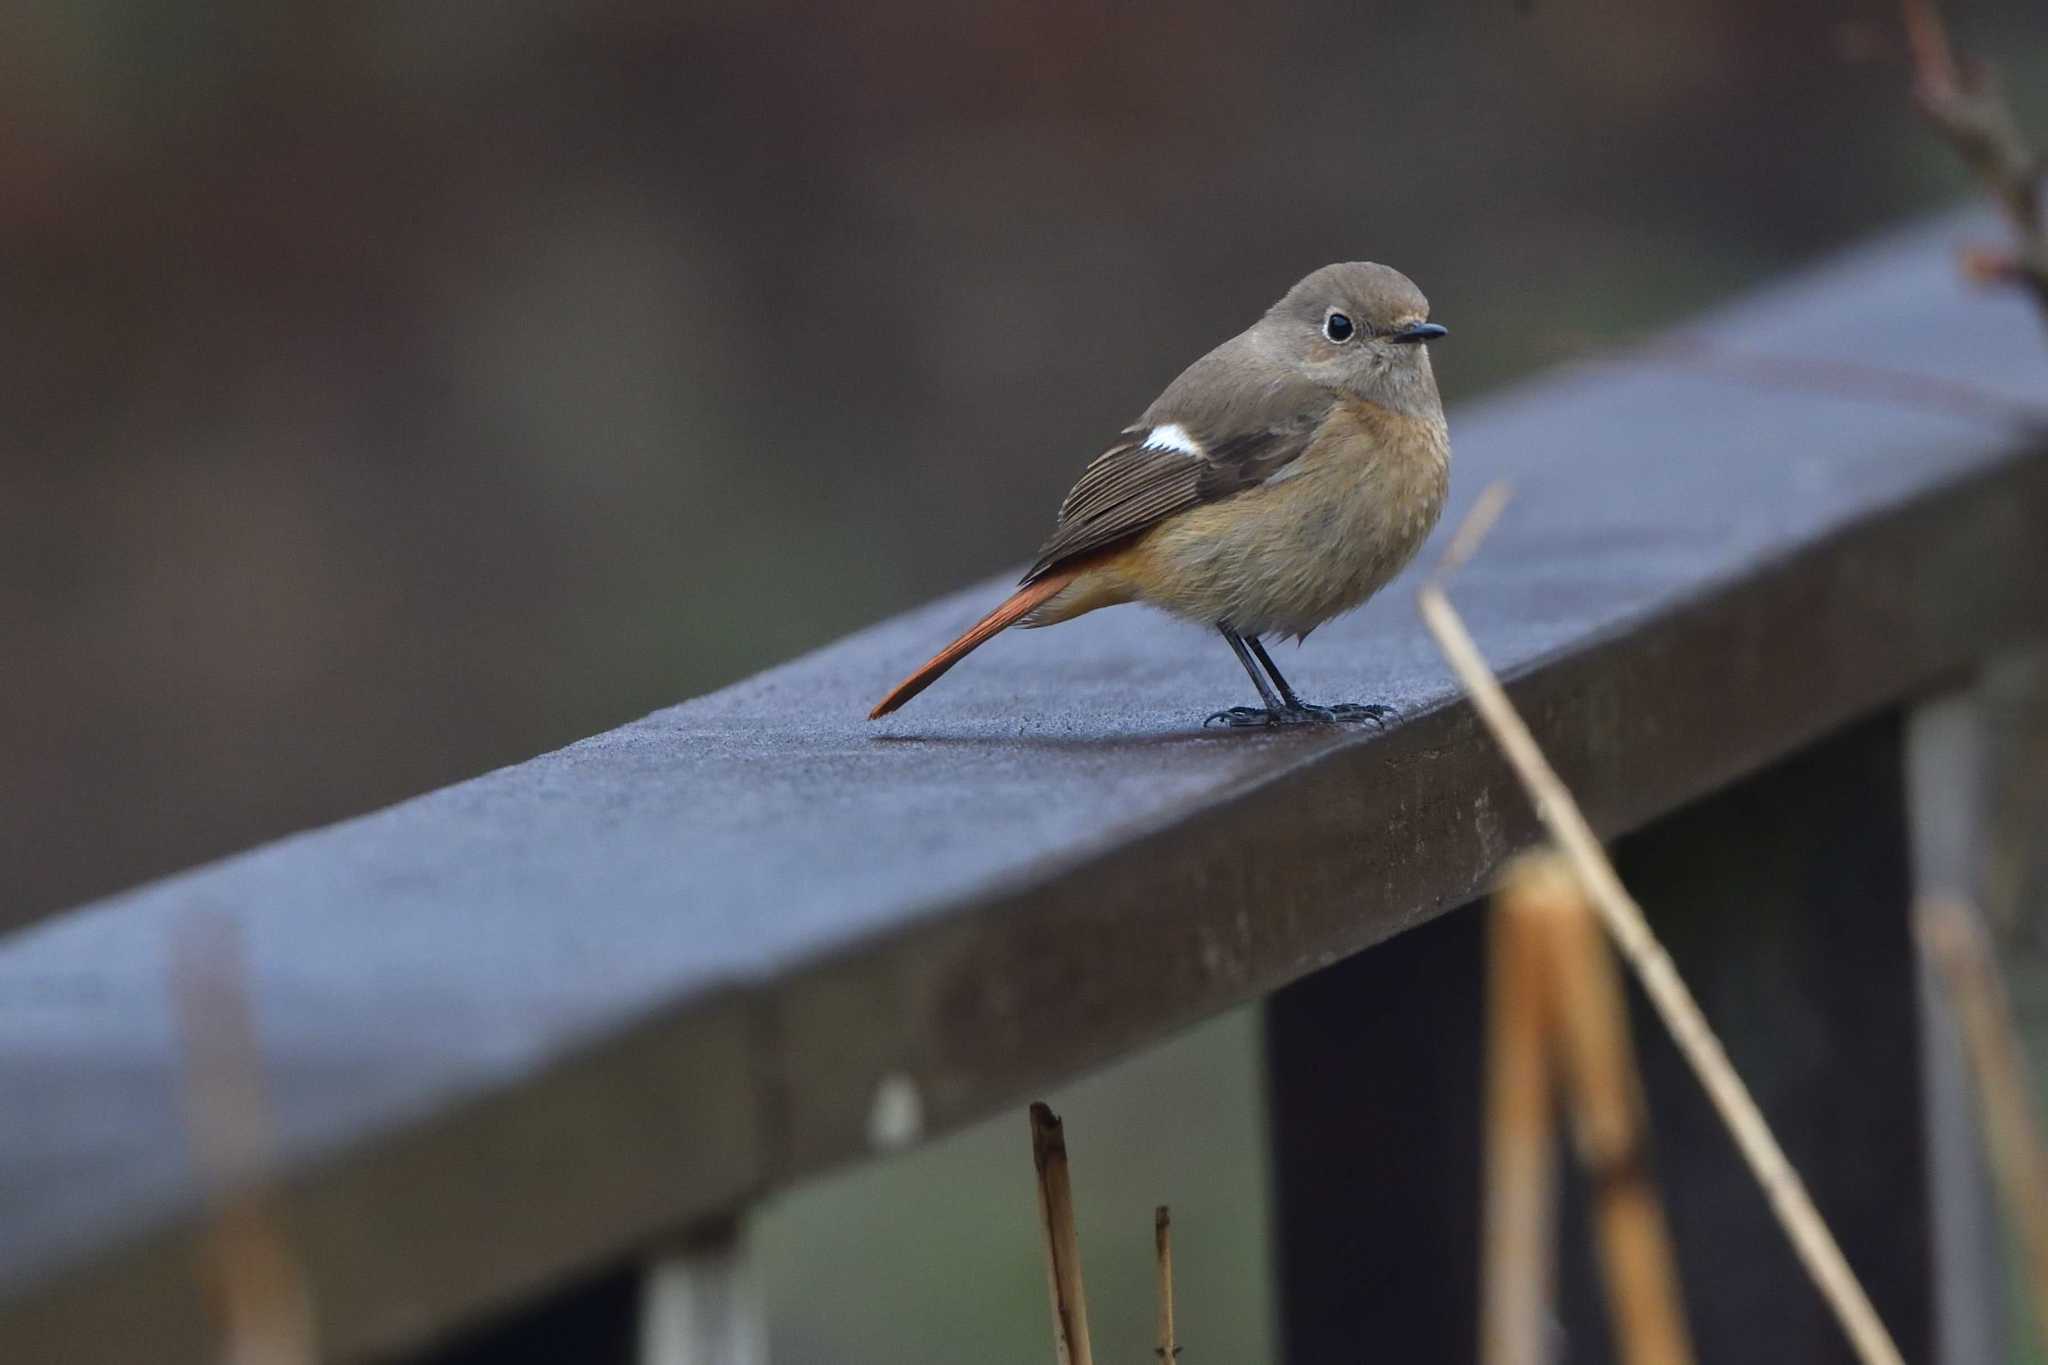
(1285, 478)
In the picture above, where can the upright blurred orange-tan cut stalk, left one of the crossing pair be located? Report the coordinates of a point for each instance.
(1521, 1204)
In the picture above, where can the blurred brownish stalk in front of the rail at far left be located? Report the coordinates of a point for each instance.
(257, 1284)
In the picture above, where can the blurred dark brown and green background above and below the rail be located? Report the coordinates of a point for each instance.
(392, 392)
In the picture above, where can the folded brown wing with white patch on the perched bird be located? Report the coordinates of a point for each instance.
(1170, 464)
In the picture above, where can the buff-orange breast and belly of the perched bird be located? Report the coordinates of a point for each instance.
(1295, 552)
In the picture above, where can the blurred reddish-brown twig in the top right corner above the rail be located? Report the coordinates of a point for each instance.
(1961, 97)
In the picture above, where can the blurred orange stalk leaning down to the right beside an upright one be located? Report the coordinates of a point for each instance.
(1611, 1131)
